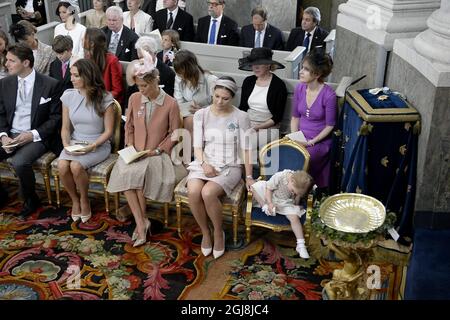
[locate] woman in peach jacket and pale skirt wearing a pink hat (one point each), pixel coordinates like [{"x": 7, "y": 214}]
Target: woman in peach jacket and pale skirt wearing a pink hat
[{"x": 152, "y": 116}]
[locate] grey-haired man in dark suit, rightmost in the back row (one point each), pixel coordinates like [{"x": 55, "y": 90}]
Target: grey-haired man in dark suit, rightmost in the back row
[{"x": 310, "y": 35}]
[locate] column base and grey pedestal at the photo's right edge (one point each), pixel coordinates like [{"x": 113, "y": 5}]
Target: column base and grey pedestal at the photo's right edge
[{"x": 420, "y": 67}]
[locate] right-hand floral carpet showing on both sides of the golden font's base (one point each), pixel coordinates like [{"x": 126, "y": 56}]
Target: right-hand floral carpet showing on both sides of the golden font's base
[{"x": 274, "y": 271}]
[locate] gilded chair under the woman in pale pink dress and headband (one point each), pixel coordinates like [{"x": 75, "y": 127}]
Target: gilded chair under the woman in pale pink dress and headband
[{"x": 231, "y": 204}]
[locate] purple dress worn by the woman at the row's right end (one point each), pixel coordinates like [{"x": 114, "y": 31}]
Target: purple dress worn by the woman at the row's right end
[{"x": 321, "y": 114}]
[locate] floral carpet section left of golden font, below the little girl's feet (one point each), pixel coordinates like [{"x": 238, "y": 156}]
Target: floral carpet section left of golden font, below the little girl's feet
[{"x": 275, "y": 272}]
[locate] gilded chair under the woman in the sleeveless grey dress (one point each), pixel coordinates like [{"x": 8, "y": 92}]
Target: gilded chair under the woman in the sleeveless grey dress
[{"x": 98, "y": 174}]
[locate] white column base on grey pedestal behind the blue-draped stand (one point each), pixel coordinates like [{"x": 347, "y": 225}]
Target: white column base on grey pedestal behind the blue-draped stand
[{"x": 366, "y": 30}]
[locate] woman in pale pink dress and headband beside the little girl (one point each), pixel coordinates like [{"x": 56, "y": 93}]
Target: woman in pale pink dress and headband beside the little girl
[{"x": 220, "y": 132}]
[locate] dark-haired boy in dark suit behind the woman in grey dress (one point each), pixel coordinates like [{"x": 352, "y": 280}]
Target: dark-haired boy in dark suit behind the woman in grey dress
[{"x": 60, "y": 67}]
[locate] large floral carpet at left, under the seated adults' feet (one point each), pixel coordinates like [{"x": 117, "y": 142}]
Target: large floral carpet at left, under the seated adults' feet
[{"x": 48, "y": 256}]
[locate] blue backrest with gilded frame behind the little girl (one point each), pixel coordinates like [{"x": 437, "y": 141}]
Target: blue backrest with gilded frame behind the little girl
[{"x": 280, "y": 155}]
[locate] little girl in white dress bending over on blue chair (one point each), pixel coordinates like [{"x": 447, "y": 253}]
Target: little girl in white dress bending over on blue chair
[{"x": 282, "y": 194}]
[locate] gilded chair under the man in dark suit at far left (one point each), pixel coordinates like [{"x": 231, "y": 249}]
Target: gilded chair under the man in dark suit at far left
[{"x": 41, "y": 165}]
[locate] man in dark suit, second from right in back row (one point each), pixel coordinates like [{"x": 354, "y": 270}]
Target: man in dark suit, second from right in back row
[{"x": 260, "y": 33}]
